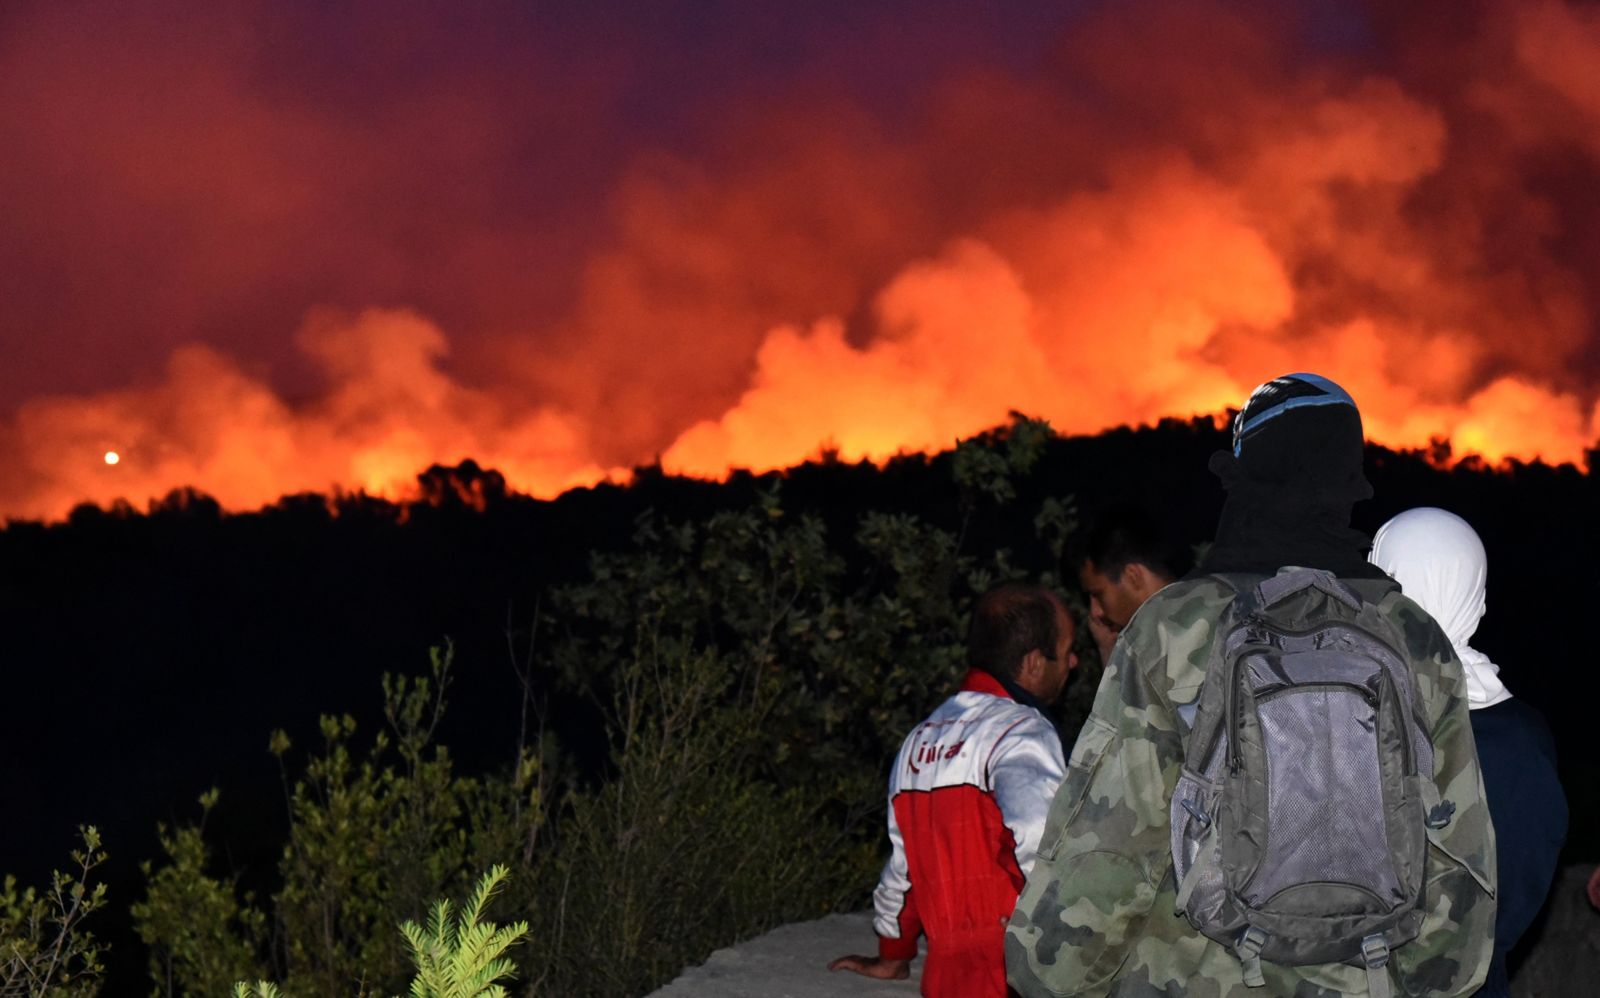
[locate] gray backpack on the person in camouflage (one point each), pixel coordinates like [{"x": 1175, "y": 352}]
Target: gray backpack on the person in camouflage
[{"x": 1298, "y": 821}]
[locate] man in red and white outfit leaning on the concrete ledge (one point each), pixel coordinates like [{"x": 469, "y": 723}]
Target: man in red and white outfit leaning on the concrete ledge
[{"x": 969, "y": 797}]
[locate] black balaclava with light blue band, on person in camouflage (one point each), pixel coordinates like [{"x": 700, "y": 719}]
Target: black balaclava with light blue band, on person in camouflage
[{"x": 1292, "y": 479}]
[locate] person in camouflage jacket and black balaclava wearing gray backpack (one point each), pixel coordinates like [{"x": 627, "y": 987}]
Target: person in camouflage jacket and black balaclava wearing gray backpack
[{"x": 1278, "y": 789}]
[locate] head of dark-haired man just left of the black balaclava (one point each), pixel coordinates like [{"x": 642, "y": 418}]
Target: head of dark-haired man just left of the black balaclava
[{"x": 1124, "y": 562}]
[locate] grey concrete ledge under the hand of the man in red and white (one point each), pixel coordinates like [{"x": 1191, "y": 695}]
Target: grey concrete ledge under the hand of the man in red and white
[{"x": 791, "y": 962}]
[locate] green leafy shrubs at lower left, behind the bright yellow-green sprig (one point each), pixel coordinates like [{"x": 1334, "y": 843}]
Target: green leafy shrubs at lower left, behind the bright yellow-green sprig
[{"x": 375, "y": 836}]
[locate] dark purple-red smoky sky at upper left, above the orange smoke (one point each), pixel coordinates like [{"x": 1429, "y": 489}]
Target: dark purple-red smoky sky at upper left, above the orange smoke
[{"x": 183, "y": 172}]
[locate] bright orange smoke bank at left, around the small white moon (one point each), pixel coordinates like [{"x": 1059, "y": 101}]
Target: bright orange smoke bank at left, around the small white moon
[{"x": 390, "y": 415}]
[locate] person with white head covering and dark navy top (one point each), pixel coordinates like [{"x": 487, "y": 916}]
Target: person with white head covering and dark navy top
[{"x": 1439, "y": 562}]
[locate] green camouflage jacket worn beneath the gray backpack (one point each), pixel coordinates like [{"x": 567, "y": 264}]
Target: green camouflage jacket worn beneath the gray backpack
[{"x": 1098, "y": 916}]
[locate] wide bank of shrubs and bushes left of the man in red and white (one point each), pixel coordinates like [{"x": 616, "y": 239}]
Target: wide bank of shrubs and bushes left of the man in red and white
[{"x": 748, "y": 673}]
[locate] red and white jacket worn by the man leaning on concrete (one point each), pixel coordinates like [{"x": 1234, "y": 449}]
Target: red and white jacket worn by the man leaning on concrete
[{"x": 969, "y": 797}]
